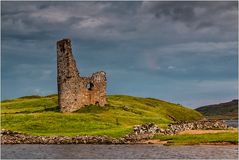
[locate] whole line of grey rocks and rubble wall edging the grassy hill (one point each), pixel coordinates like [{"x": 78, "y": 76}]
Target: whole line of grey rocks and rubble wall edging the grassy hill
[{"x": 139, "y": 134}]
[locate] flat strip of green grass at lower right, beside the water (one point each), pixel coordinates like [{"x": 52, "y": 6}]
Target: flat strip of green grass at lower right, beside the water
[{"x": 191, "y": 139}]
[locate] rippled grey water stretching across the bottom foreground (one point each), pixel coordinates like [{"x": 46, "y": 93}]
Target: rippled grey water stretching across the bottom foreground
[{"x": 35, "y": 151}]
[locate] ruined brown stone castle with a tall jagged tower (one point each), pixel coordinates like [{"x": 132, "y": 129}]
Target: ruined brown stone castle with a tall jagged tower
[{"x": 74, "y": 91}]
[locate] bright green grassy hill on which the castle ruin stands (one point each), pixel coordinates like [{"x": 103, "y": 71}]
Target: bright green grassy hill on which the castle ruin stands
[{"x": 40, "y": 116}]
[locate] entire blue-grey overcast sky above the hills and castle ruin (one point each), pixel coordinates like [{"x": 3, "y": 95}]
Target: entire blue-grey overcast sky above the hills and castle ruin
[{"x": 182, "y": 52}]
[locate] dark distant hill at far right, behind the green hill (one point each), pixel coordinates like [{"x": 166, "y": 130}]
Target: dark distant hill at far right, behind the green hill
[{"x": 228, "y": 110}]
